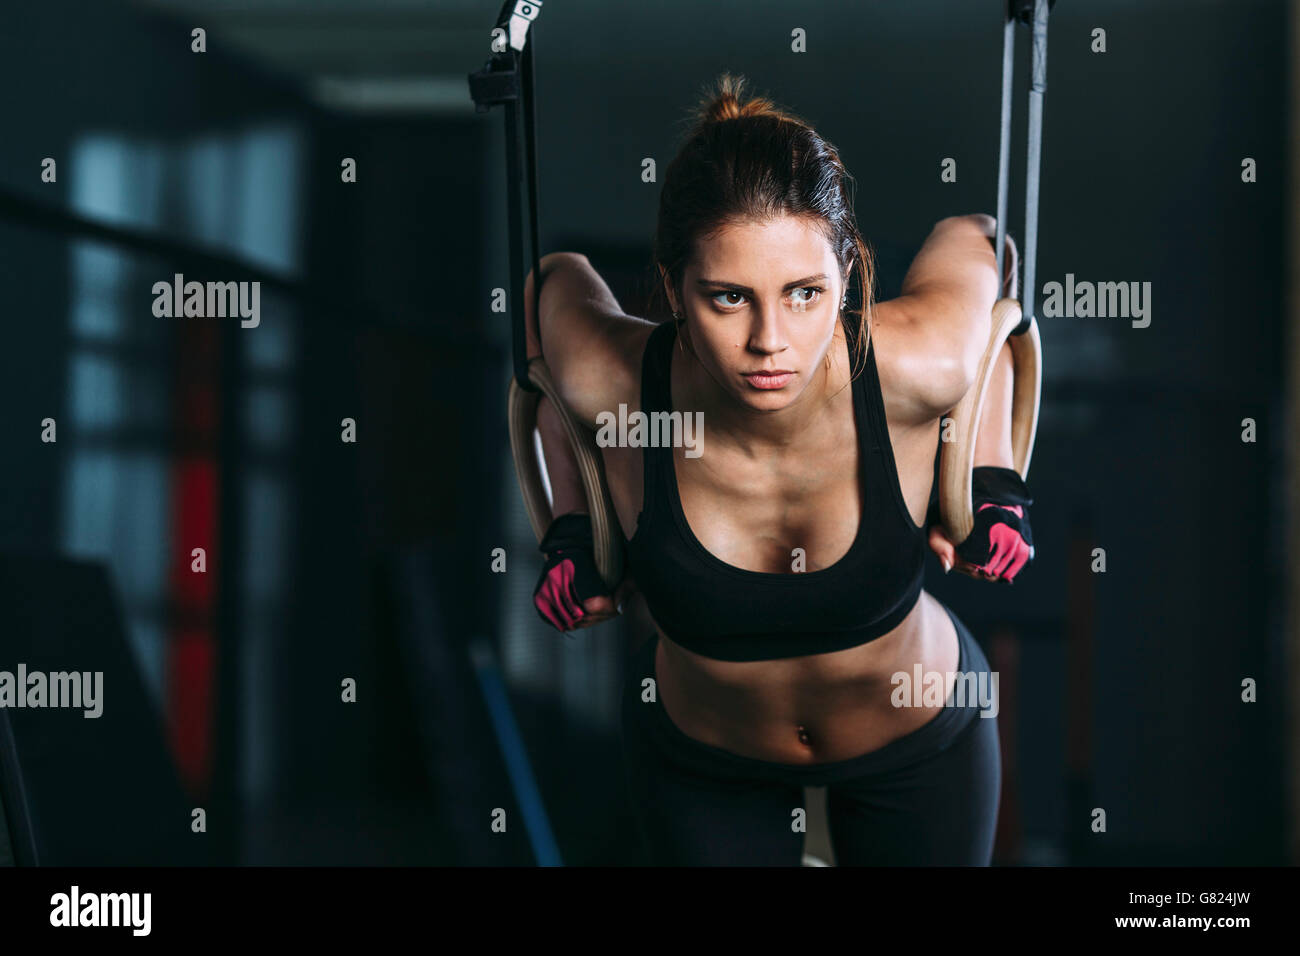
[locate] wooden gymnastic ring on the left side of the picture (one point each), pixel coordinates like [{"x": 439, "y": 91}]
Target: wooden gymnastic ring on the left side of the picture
[{"x": 522, "y": 416}]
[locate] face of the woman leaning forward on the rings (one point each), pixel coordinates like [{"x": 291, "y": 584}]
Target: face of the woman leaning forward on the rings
[{"x": 762, "y": 301}]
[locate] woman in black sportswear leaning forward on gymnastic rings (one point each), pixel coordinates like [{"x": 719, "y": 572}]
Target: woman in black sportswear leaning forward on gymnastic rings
[{"x": 781, "y": 560}]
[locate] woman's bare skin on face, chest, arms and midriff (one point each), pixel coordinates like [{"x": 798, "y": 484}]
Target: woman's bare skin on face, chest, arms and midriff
[{"x": 781, "y": 466}]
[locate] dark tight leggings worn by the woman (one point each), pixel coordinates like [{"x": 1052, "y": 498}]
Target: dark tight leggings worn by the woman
[{"x": 929, "y": 798}]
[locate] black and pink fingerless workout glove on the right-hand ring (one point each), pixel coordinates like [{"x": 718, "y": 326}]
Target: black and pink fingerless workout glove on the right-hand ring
[{"x": 1002, "y": 542}]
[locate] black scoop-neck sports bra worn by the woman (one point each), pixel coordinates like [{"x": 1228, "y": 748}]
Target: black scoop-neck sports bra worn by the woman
[{"x": 727, "y": 613}]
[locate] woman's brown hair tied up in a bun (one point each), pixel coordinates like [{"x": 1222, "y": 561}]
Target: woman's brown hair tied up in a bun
[{"x": 751, "y": 161}]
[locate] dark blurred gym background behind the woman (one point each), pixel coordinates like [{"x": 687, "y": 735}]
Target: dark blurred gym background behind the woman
[{"x": 371, "y": 561}]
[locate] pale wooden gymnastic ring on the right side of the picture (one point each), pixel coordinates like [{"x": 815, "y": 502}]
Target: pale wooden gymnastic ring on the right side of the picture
[{"x": 957, "y": 457}]
